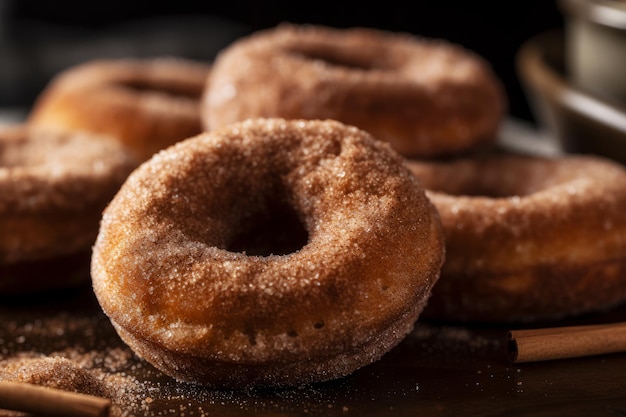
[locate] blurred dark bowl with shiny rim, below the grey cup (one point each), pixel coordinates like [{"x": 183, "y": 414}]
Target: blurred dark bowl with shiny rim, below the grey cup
[{"x": 582, "y": 121}]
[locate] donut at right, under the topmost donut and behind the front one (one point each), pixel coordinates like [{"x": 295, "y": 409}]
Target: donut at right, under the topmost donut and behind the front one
[{"x": 528, "y": 238}]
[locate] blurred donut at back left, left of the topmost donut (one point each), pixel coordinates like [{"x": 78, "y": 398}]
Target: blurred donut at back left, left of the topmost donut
[{"x": 146, "y": 103}]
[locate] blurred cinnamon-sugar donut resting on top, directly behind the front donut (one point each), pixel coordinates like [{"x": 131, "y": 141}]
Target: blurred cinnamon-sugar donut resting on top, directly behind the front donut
[{"x": 426, "y": 97}]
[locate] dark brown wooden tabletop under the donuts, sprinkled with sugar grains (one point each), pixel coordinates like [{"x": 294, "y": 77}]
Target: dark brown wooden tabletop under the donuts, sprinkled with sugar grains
[{"x": 441, "y": 369}]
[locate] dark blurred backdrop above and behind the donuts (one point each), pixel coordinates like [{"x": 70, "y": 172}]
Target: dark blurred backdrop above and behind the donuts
[{"x": 37, "y": 32}]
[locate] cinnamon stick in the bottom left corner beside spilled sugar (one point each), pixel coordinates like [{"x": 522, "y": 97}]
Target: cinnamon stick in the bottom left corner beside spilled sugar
[{"x": 50, "y": 401}]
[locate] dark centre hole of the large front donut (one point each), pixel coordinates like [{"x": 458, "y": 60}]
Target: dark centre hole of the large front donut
[{"x": 275, "y": 229}]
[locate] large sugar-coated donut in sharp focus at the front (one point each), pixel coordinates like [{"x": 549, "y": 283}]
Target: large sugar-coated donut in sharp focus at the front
[{"x": 270, "y": 252}]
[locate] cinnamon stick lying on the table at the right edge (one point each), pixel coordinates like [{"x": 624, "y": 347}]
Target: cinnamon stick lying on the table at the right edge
[{"x": 533, "y": 345}]
